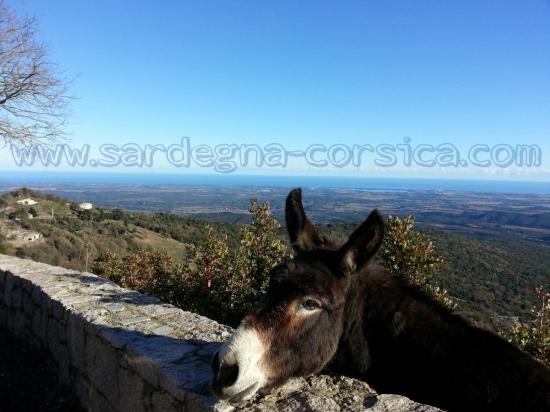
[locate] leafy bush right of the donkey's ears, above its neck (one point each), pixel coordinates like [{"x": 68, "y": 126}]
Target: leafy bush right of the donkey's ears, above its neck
[{"x": 410, "y": 253}]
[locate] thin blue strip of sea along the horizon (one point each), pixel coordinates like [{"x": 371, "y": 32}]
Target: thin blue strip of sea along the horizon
[{"x": 38, "y": 179}]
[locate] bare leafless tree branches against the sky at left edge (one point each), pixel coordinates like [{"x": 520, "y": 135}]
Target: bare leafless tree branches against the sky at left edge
[{"x": 33, "y": 98}]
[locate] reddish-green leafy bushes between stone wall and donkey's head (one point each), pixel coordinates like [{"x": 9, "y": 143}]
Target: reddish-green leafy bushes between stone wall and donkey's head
[{"x": 217, "y": 281}]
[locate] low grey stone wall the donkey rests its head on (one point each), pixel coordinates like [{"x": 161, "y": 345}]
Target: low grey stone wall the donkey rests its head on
[{"x": 123, "y": 351}]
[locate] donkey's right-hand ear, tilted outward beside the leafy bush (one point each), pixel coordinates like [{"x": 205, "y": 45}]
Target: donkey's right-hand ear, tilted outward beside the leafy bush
[{"x": 363, "y": 243}]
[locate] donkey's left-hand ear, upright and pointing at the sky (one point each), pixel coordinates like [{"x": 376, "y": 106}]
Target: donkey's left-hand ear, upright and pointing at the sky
[{"x": 302, "y": 233}]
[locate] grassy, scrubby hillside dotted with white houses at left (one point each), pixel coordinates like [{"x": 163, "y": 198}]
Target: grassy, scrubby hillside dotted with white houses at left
[{"x": 73, "y": 238}]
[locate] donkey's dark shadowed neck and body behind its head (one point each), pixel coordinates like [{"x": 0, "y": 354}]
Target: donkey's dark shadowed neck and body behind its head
[{"x": 400, "y": 341}]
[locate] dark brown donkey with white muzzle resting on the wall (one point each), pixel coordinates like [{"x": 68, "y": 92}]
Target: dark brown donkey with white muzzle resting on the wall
[{"x": 332, "y": 306}]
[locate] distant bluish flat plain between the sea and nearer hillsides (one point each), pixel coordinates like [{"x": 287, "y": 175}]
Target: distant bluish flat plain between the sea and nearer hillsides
[{"x": 480, "y": 214}]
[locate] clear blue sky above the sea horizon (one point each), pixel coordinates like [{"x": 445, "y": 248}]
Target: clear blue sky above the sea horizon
[{"x": 306, "y": 72}]
